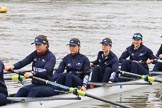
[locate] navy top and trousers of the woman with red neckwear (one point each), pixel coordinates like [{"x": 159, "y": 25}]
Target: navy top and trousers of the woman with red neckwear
[{"x": 42, "y": 65}]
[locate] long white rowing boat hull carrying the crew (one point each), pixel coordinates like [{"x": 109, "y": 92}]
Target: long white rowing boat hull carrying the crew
[{"x": 99, "y": 92}]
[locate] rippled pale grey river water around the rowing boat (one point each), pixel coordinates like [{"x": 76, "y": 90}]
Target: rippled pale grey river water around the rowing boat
[{"x": 89, "y": 20}]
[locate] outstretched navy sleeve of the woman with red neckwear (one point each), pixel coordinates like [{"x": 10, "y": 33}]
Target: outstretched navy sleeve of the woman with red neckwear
[{"x": 27, "y": 60}]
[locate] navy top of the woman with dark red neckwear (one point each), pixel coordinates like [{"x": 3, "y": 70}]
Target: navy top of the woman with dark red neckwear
[{"x": 41, "y": 65}]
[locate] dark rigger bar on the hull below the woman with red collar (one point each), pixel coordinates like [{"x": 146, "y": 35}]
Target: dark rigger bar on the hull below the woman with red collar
[{"x": 30, "y": 99}]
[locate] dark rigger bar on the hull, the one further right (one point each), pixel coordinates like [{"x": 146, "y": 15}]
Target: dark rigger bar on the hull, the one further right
[{"x": 118, "y": 84}]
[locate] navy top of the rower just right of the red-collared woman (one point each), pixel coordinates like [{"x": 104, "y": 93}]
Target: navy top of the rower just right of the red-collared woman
[{"x": 75, "y": 63}]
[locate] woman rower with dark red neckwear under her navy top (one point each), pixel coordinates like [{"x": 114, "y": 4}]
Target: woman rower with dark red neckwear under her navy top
[{"x": 43, "y": 62}]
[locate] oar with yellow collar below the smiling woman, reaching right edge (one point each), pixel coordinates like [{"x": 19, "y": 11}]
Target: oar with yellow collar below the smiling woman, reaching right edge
[{"x": 144, "y": 77}]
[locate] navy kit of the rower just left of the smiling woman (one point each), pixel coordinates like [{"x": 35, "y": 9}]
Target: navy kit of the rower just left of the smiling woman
[{"x": 105, "y": 68}]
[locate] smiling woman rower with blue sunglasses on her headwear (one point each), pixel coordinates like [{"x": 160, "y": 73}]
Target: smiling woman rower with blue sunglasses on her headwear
[{"x": 139, "y": 57}]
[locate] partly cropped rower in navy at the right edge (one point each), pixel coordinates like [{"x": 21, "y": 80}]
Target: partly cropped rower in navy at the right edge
[{"x": 158, "y": 65}]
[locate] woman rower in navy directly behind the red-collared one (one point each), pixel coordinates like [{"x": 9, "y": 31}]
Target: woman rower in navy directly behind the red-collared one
[{"x": 77, "y": 67}]
